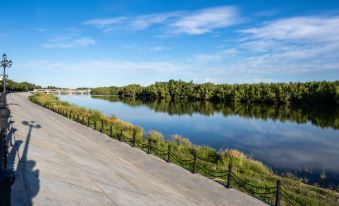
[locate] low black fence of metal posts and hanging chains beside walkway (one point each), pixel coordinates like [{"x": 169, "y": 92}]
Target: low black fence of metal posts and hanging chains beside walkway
[{"x": 274, "y": 195}]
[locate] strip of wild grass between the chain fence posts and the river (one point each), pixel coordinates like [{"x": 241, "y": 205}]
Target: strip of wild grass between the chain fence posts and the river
[{"x": 247, "y": 169}]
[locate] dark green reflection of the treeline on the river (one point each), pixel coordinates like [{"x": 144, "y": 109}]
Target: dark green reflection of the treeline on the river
[{"x": 321, "y": 116}]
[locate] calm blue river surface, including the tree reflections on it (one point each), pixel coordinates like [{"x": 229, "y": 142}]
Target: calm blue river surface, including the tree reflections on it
[{"x": 301, "y": 141}]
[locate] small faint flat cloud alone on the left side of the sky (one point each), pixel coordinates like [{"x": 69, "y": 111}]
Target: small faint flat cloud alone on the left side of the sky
[{"x": 69, "y": 42}]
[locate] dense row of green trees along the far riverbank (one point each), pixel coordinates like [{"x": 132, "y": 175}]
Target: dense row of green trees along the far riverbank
[{"x": 278, "y": 93}]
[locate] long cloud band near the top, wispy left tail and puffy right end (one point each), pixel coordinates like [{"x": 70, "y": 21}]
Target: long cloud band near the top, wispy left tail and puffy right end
[{"x": 193, "y": 22}]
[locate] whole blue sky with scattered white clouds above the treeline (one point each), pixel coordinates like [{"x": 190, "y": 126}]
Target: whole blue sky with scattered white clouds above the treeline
[{"x": 87, "y": 43}]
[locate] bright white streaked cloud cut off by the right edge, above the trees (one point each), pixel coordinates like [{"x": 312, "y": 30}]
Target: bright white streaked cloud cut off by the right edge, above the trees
[{"x": 309, "y": 28}]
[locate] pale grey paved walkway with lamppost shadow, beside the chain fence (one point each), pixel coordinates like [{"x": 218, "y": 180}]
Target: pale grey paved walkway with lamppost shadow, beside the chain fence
[{"x": 60, "y": 162}]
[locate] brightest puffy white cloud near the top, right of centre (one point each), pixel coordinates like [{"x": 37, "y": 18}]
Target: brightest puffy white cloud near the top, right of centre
[{"x": 206, "y": 20}]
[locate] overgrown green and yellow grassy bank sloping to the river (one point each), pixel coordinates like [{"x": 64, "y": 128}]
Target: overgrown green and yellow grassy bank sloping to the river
[{"x": 247, "y": 175}]
